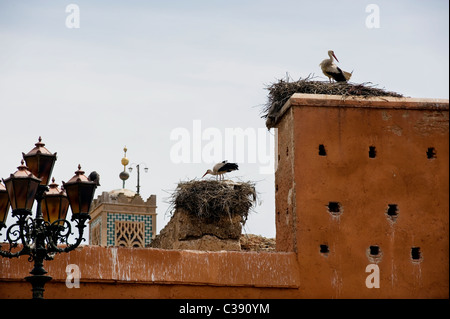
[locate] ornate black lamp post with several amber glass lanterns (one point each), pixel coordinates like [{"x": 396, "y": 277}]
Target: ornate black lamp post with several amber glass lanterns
[{"x": 40, "y": 236}]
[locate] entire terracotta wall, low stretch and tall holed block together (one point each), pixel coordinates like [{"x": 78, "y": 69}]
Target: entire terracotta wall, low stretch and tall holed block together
[{"x": 401, "y": 130}]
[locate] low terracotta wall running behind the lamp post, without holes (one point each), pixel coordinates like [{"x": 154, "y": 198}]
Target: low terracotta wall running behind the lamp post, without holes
[{"x": 119, "y": 272}]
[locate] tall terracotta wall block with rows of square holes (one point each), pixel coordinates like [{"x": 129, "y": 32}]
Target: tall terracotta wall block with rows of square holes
[{"x": 365, "y": 181}]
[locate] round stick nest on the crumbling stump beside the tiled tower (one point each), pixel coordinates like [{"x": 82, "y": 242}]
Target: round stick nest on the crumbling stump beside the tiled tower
[{"x": 211, "y": 200}]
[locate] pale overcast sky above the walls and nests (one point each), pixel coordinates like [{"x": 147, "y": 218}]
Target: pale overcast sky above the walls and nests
[{"x": 136, "y": 73}]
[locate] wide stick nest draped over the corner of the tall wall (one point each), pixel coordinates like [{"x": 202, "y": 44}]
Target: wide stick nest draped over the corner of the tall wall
[{"x": 281, "y": 91}]
